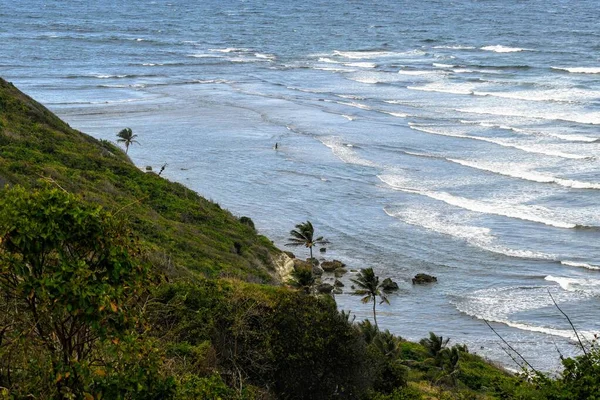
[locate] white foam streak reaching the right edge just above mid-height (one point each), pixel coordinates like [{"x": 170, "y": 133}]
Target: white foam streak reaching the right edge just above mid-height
[{"x": 517, "y": 171}]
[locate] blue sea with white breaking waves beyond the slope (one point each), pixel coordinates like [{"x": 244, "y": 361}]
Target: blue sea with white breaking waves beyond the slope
[{"x": 454, "y": 138}]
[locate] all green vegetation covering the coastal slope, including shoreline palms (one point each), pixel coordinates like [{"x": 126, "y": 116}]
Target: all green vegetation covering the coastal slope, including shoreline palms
[{"x": 118, "y": 284}]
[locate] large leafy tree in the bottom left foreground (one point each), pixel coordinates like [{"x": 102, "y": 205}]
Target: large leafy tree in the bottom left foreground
[{"x": 66, "y": 268}]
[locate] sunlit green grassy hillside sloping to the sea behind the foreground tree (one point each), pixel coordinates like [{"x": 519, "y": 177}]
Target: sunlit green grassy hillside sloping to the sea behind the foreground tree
[{"x": 178, "y": 227}]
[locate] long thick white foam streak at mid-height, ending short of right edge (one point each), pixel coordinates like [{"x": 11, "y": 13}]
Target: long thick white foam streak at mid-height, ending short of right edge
[{"x": 518, "y": 211}]
